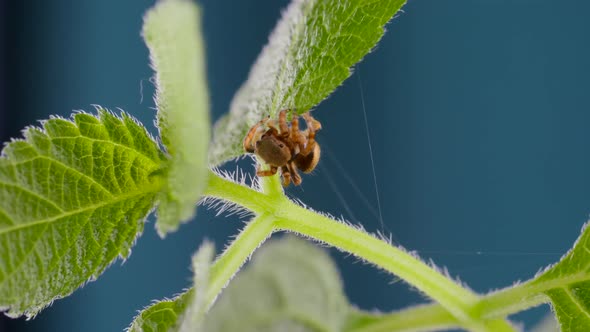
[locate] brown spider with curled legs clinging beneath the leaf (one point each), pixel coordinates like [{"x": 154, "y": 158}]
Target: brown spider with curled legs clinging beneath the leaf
[{"x": 287, "y": 147}]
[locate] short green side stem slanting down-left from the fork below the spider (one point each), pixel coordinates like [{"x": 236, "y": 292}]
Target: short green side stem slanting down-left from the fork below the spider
[{"x": 225, "y": 267}]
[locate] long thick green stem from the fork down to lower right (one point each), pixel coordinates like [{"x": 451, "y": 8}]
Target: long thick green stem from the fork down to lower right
[{"x": 456, "y": 299}]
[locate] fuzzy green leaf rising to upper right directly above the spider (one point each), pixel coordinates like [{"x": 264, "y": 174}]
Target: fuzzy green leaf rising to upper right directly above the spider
[{"x": 308, "y": 56}]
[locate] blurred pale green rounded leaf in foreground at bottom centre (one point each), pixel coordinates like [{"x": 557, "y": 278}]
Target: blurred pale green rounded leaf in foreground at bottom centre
[{"x": 290, "y": 285}]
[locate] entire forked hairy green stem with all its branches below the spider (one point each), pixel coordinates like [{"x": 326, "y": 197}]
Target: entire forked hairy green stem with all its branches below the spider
[{"x": 282, "y": 214}]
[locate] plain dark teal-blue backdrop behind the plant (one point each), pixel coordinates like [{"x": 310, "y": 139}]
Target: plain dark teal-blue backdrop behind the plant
[{"x": 478, "y": 116}]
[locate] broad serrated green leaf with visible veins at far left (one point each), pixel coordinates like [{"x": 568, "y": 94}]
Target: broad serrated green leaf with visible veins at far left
[{"x": 73, "y": 198}]
